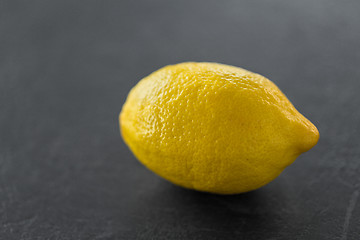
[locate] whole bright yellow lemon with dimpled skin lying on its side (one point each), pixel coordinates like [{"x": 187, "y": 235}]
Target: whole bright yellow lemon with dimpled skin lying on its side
[{"x": 213, "y": 127}]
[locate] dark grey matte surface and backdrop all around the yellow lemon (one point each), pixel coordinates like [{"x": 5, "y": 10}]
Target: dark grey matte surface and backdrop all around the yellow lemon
[{"x": 67, "y": 66}]
